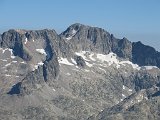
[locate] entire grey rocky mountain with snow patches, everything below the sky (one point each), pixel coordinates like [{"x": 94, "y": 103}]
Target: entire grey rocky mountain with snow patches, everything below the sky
[{"x": 84, "y": 73}]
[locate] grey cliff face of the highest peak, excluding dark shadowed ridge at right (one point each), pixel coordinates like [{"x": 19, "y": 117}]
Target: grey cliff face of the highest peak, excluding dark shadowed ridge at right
[{"x": 86, "y": 38}]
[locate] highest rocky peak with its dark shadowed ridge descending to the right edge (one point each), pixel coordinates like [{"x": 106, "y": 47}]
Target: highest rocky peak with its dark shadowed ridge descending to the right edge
[{"x": 86, "y": 38}]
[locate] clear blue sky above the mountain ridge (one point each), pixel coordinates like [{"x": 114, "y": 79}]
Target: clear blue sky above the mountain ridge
[{"x": 138, "y": 20}]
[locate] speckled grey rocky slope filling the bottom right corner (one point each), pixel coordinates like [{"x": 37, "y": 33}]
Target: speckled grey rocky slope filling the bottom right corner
[{"x": 138, "y": 111}]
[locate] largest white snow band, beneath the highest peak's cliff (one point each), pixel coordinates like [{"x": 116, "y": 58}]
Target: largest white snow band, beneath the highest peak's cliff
[{"x": 110, "y": 59}]
